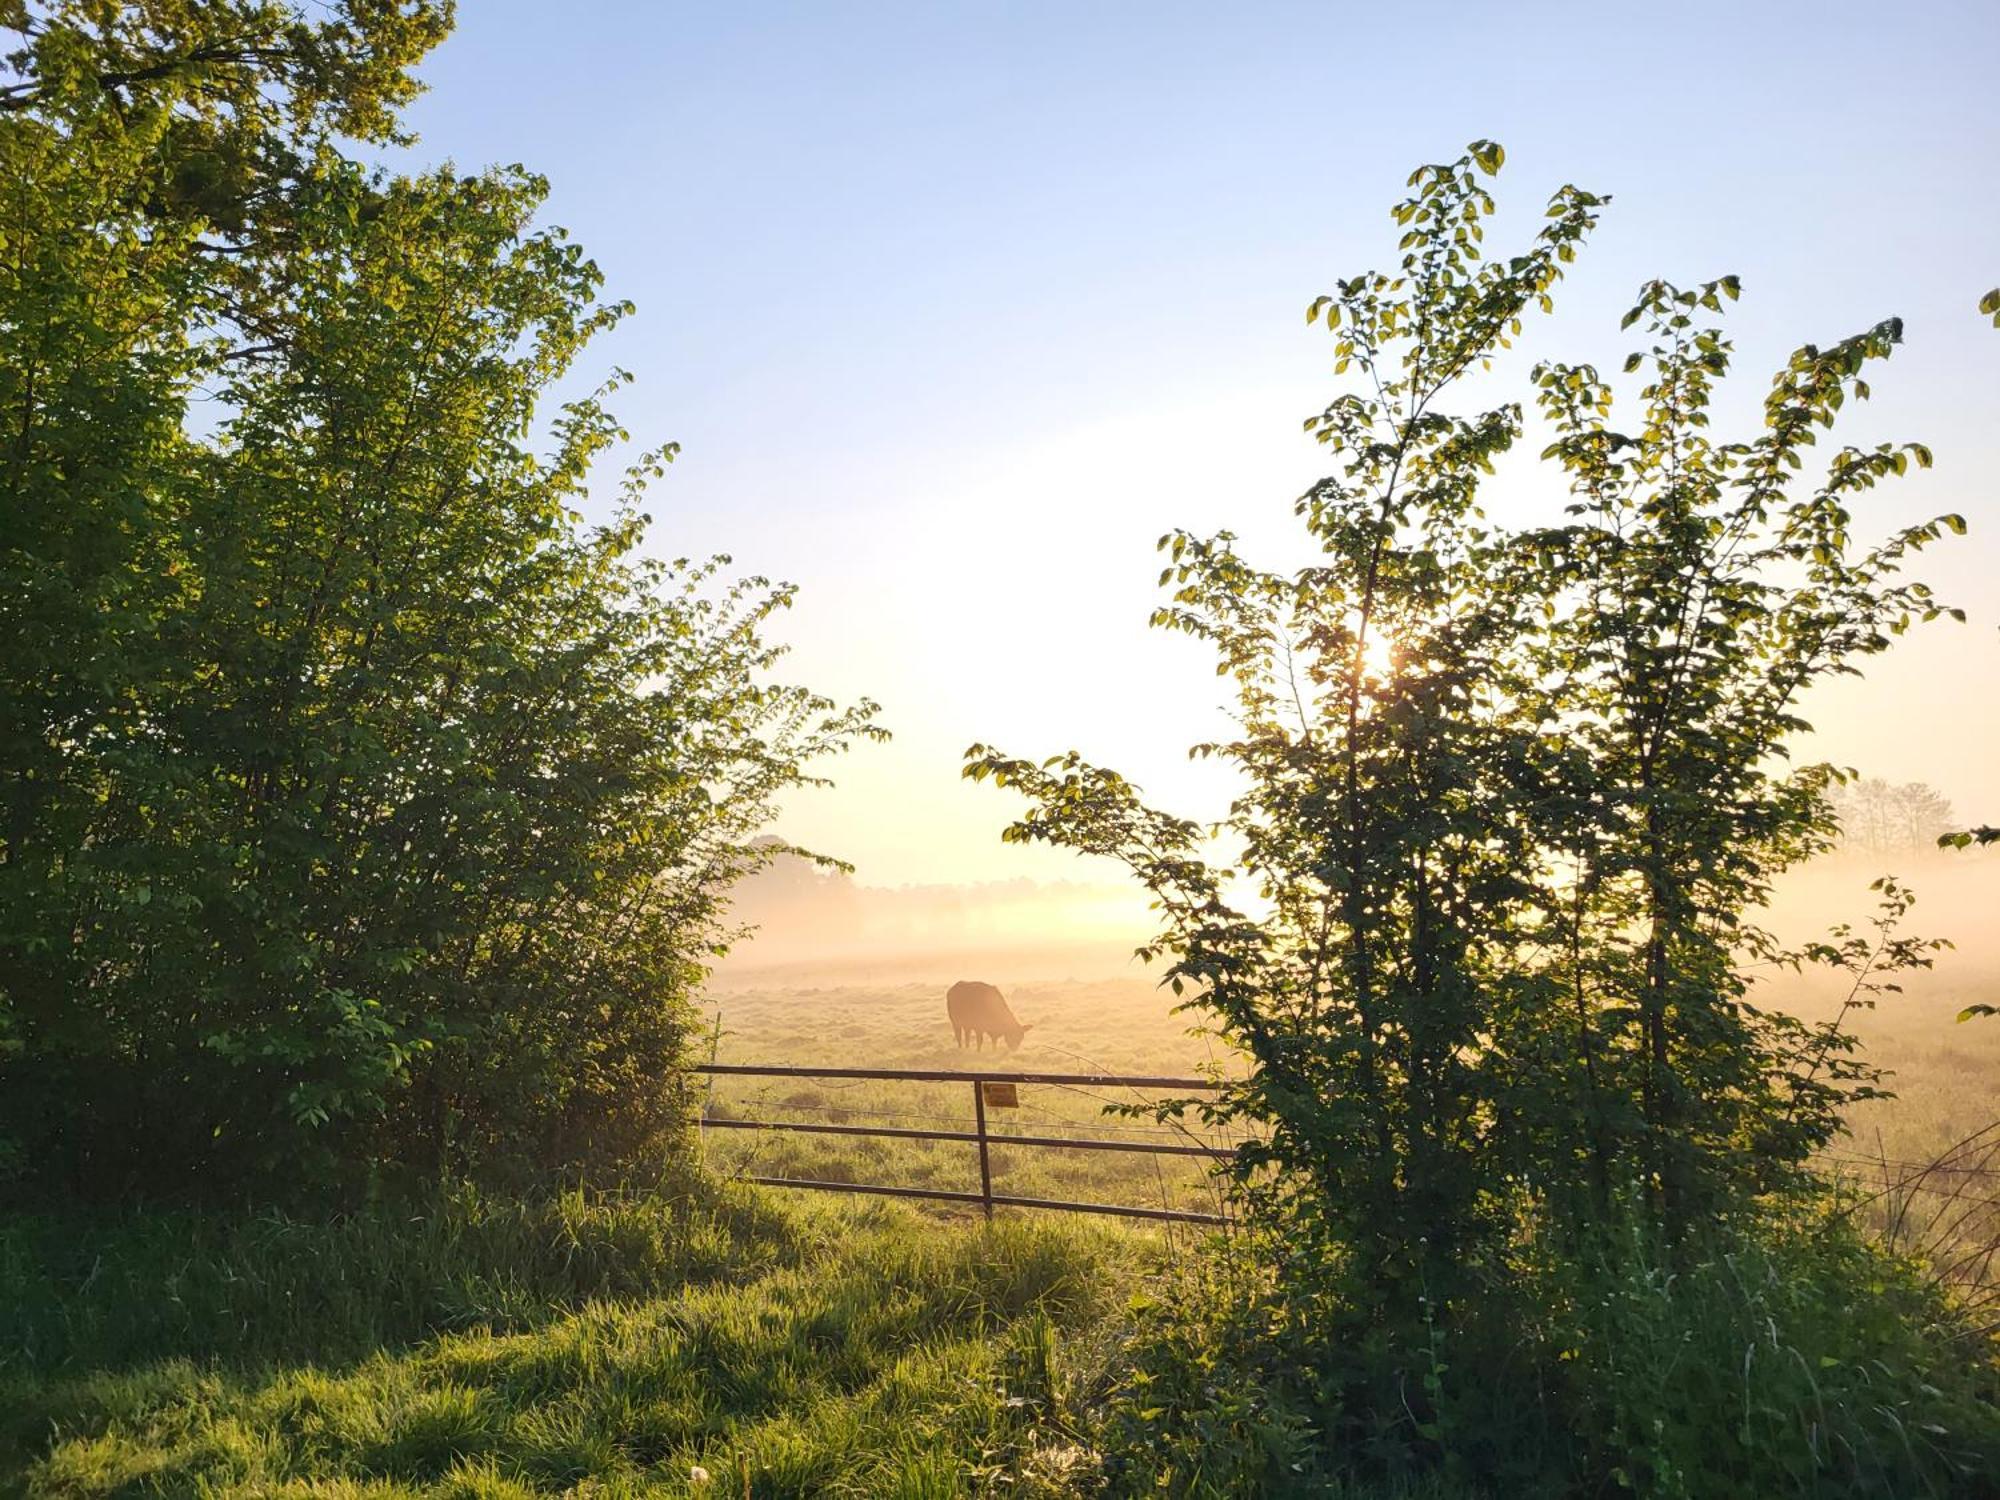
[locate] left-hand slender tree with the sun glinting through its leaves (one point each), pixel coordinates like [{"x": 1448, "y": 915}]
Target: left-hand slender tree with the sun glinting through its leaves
[{"x": 1389, "y": 811}]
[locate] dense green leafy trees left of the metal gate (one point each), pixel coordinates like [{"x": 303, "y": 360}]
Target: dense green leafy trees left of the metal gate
[{"x": 359, "y": 807}]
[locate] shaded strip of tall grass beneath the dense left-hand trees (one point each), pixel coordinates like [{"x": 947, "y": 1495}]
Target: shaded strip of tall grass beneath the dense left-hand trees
[{"x": 105, "y": 1291}]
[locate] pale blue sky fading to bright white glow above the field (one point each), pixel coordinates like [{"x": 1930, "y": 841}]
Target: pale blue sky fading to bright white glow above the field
[{"x": 957, "y": 307}]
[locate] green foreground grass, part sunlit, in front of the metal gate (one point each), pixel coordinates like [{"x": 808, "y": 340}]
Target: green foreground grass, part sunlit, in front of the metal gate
[{"x": 813, "y": 1351}]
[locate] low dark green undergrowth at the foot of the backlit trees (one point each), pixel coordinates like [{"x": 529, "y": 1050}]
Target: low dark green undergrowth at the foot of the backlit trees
[{"x": 1779, "y": 1357}]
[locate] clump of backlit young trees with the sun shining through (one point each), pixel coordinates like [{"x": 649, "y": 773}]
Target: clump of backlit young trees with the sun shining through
[{"x": 1503, "y": 877}]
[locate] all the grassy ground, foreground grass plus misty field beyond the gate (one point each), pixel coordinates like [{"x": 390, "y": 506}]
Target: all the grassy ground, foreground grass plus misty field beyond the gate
[{"x": 727, "y": 1341}]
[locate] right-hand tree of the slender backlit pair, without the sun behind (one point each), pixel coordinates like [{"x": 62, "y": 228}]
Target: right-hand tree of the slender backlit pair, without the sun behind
[{"x": 1705, "y": 597}]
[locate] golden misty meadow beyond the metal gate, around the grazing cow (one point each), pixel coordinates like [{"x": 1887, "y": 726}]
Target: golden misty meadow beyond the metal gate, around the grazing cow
[{"x": 1093, "y": 1009}]
